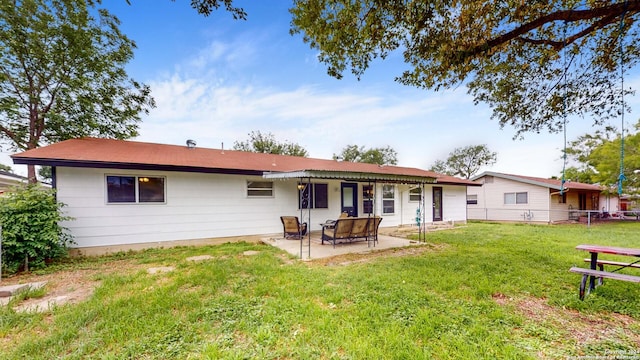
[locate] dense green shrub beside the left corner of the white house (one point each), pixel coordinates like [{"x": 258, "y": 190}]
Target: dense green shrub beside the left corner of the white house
[{"x": 31, "y": 231}]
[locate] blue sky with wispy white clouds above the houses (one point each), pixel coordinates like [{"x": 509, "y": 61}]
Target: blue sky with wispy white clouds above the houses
[{"x": 216, "y": 79}]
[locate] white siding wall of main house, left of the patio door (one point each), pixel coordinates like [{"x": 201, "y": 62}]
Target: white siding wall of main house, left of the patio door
[{"x": 197, "y": 206}]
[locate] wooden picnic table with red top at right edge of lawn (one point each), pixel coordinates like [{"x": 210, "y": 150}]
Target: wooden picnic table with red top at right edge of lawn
[{"x": 597, "y": 270}]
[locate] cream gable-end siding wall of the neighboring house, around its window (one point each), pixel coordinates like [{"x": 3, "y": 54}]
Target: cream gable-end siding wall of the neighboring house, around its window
[{"x": 491, "y": 204}]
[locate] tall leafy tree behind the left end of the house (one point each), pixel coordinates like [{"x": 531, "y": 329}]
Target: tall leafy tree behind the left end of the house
[{"x": 62, "y": 75}]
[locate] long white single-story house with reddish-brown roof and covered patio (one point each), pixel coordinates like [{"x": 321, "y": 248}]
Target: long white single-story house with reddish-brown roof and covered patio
[{"x": 127, "y": 194}]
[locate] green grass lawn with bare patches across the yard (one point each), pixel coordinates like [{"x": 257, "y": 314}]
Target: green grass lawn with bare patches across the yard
[{"x": 482, "y": 291}]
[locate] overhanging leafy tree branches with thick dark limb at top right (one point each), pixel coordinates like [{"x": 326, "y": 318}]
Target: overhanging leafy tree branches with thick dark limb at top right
[{"x": 530, "y": 61}]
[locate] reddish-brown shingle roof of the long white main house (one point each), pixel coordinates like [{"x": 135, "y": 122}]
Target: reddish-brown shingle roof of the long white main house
[{"x": 93, "y": 152}]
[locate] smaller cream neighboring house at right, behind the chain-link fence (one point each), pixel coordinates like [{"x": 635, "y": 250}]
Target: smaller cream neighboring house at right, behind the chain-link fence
[{"x": 524, "y": 198}]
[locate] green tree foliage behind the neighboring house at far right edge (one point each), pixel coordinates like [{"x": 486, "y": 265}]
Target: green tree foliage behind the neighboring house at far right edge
[{"x": 598, "y": 157}]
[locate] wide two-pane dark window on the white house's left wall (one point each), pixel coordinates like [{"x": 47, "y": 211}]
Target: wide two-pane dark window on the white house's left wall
[{"x": 135, "y": 189}]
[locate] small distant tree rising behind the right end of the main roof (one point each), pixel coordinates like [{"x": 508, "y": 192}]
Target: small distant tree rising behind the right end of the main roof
[{"x": 466, "y": 161}]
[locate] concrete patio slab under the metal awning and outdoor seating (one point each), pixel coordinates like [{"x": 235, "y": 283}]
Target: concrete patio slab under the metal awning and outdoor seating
[{"x": 318, "y": 250}]
